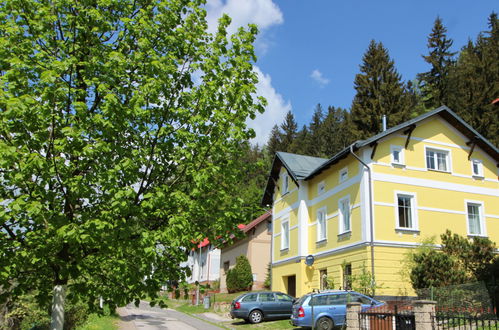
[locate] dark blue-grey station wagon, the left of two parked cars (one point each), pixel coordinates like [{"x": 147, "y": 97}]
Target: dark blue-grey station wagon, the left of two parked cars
[{"x": 254, "y": 307}]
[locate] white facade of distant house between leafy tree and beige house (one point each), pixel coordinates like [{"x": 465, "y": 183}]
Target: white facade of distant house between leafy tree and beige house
[{"x": 204, "y": 263}]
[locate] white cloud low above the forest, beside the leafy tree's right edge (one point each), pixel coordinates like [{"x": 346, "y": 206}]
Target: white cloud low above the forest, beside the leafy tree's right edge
[{"x": 275, "y": 110}]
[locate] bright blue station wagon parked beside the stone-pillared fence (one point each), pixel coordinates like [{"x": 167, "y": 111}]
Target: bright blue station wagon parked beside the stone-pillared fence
[{"x": 327, "y": 309}]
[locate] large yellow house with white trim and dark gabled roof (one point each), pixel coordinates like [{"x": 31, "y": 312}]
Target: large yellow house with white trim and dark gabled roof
[{"x": 364, "y": 208}]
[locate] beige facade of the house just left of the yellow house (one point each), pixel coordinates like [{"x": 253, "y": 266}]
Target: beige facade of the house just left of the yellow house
[{"x": 255, "y": 245}]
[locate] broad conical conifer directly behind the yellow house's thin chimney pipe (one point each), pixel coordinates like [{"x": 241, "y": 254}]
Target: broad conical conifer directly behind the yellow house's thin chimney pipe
[{"x": 380, "y": 91}]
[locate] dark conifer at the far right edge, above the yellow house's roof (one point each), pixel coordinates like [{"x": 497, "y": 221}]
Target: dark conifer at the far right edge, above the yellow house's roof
[{"x": 475, "y": 82}]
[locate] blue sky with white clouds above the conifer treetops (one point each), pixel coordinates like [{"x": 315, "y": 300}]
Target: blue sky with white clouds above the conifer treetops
[{"x": 309, "y": 51}]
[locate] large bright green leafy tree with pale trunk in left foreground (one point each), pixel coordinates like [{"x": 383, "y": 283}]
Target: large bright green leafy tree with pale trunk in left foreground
[{"x": 120, "y": 141}]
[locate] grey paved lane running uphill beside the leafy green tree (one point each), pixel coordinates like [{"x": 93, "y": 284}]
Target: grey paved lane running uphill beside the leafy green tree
[{"x": 145, "y": 317}]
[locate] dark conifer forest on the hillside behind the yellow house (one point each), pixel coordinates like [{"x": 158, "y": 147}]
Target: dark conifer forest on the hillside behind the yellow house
[{"x": 466, "y": 81}]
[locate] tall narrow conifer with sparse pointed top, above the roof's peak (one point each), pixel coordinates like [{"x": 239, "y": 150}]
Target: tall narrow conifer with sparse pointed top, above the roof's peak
[{"x": 434, "y": 83}]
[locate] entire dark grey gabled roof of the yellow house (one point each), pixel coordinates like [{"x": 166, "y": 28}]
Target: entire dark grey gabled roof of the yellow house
[{"x": 298, "y": 166}]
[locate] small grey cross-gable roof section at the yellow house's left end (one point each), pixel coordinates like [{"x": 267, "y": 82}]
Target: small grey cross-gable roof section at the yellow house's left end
[{"x": 298, "y": 167}]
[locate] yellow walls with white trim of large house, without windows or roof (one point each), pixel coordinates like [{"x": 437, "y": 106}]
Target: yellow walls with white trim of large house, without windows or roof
[{"x": 439, "y": 203}]
